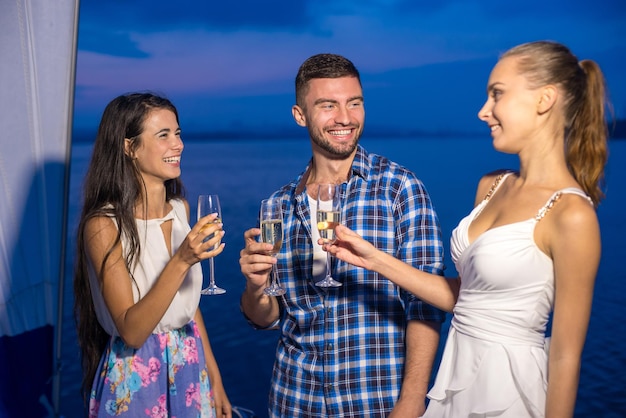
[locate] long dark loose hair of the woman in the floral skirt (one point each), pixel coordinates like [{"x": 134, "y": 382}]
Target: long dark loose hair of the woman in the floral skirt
[{"x": 112, "y": 187}]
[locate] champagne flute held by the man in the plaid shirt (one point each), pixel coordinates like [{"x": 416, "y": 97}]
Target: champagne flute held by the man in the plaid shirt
[{"x": 272, "y": 233}]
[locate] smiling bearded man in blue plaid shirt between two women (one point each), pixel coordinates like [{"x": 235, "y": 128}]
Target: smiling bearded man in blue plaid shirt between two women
[{"x": 366, "y": 348}]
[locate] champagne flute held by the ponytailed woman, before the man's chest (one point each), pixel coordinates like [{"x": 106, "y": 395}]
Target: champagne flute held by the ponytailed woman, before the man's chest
[{"x": 328, "y": 217}]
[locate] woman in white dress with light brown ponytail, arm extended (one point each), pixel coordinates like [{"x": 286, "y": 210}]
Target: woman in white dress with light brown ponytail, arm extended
[{"x": 529, "y": 249}]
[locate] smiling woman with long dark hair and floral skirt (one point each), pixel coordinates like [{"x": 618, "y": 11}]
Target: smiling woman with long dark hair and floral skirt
[{"x": 144, "y": 346}]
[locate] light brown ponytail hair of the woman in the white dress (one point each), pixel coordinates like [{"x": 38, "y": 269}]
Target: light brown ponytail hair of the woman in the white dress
[{"x": 582, "y": 82}]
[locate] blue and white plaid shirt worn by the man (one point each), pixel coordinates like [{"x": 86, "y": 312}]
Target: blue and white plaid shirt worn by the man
[{"x": 341, "y": 350}]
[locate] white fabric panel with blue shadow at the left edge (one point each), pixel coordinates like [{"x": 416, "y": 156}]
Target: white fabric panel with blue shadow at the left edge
[{"x": 37, "y": 50}]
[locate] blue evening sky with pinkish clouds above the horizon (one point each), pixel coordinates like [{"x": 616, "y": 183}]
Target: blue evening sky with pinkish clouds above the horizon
[{"x": 230, "y": 66}]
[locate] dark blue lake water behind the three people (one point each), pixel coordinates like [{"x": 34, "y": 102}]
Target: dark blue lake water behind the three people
[{"x": 243, "y": 172}]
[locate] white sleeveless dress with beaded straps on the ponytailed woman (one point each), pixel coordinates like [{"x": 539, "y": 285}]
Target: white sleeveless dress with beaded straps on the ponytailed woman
[{"x": 495, "y": 360}]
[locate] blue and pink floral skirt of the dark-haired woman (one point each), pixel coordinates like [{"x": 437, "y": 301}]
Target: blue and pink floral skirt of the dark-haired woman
[{"x": 166, "y": 377}]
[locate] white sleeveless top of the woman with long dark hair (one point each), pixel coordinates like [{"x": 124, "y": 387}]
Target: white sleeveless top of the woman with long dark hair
[{"x": 153, "y": 258}]
